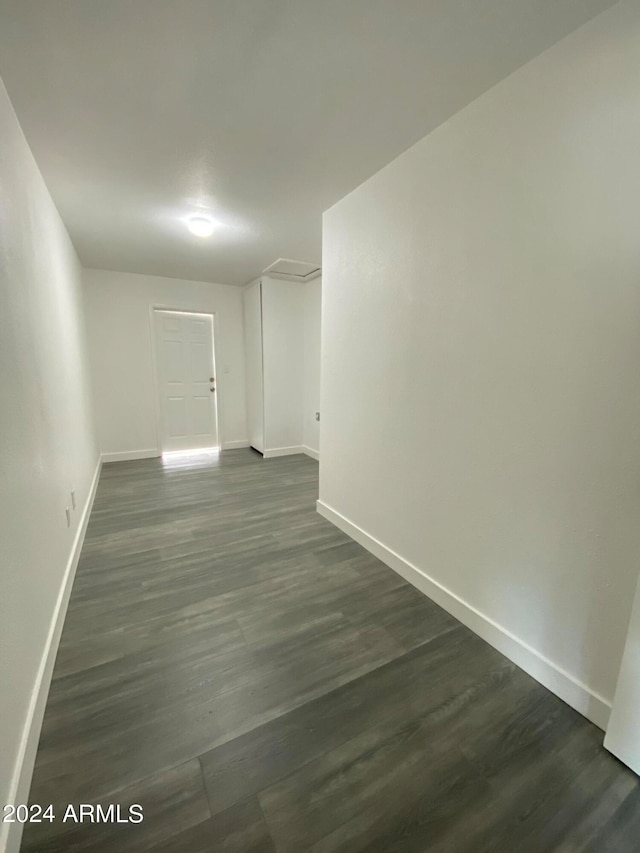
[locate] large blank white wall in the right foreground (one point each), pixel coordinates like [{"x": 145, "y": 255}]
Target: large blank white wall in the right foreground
[{"x": 481, "y": 348}]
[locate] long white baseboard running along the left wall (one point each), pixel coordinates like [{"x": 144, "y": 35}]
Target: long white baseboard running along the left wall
[{"x": 11, "y": 833}]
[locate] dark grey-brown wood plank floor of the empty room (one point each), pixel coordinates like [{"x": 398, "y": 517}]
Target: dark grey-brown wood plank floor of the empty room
[{"x": 259, "y": 682}]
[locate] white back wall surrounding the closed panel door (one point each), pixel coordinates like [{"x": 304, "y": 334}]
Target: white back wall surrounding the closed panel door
[{"x": 118, "y": 307}]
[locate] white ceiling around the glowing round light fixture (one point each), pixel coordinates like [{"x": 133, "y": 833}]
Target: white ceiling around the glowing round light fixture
[{"x": 262, "y": 112}]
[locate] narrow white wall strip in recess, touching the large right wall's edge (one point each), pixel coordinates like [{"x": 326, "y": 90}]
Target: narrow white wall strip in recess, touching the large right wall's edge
[{"x": 311, "y": 393}]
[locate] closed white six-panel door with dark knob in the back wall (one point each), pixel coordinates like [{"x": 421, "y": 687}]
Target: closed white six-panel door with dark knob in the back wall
[{"x": 186, "y": 380}]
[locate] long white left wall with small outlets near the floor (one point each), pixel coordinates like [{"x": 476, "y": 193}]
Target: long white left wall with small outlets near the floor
[{"x": 47, "y": 445}]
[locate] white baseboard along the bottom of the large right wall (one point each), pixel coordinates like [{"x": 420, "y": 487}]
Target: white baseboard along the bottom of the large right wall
[{"x": 572, "y": 691}]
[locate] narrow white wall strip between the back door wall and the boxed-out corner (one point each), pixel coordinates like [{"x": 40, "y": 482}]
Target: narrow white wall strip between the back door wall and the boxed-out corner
[{"x": 253, "y": 364}]
